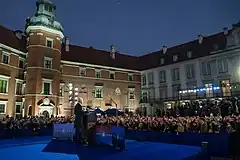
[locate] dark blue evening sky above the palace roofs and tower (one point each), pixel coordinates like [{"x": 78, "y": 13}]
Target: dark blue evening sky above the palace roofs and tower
[{"x": 134, "y": 26}]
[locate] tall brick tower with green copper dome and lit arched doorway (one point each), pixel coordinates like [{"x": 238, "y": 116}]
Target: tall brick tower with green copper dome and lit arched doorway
[{"x": 45, "y": 36}]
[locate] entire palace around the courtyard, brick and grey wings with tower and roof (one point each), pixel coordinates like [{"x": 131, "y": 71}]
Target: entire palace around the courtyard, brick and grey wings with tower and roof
[{"x": 42, "y": 73}]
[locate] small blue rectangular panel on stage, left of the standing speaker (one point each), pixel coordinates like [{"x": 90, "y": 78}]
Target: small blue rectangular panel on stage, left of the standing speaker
[{"x": 65, "y": 131}]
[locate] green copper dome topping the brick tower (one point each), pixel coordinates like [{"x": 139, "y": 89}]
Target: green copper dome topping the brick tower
[{"x": 44, "y": 16}]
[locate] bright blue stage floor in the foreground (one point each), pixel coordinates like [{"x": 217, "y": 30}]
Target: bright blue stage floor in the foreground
[{"x": 44, "y": 148}]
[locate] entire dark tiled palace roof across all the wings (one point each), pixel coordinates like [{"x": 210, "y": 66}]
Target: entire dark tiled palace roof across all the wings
[{"x": 148, "y": 61}]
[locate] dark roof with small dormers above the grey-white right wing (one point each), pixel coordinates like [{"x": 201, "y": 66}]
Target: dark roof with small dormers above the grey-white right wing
[{"x": 209, "y": 44}]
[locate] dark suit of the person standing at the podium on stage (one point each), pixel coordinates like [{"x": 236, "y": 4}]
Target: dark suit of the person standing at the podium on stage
[{"x": 79, "y": 125}]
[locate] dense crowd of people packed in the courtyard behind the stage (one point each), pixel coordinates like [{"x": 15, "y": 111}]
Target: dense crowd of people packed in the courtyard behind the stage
[{"x": 211, "y": 117}]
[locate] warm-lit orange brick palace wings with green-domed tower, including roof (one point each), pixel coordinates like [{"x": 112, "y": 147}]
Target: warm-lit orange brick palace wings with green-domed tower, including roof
[{"x": 42, "y": 73}]
